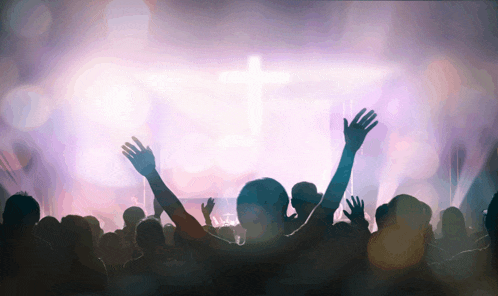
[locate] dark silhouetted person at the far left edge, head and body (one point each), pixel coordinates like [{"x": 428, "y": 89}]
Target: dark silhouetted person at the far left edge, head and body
[{"x": 27, "y": 263}]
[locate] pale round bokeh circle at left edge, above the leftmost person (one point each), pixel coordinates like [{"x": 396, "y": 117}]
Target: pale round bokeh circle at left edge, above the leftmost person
[{"x": 26, "y": 107}]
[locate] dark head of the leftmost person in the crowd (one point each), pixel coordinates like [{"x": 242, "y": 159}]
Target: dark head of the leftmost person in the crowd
[{"x": 21, "y": 212}]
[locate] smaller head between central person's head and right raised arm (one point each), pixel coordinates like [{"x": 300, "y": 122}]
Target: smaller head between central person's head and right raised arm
[{"x": 305, "y": 198}]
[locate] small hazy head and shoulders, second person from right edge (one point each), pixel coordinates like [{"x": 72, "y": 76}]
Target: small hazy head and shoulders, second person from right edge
[{"x": 454, "y": 234}]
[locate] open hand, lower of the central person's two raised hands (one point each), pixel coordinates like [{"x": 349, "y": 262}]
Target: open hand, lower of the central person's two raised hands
[{"x": 143, "y": 160}]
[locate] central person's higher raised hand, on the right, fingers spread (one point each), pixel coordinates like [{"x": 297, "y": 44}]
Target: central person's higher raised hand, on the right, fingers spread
[{"x": 356, "y": 132}]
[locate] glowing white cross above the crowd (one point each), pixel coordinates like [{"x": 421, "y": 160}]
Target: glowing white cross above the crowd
[{"x": 255, "y": 78}]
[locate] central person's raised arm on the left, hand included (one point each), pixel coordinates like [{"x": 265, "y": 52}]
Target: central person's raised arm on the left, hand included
[{"x": 144, "y": 162}]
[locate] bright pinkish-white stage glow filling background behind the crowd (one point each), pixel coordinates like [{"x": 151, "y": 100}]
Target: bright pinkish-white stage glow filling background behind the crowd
[{"x": 247, "y": 90}]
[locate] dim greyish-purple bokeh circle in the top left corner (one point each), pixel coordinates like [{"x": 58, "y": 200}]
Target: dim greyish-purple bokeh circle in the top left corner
[{"x": 28, "y": 18}]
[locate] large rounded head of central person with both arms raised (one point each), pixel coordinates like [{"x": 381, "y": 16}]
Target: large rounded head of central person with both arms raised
[{"x": 261, "y": 209}]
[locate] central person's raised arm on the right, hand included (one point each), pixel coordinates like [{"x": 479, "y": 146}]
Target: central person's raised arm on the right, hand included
[{"x": 354, "y": 134}]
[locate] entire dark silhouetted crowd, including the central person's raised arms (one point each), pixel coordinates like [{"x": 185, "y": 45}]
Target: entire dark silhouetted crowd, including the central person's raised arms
[{"x": 269, "y": 253}]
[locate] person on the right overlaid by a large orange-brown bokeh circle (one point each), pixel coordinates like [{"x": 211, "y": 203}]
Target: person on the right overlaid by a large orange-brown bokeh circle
[{"x": 398, "y": 253}]
